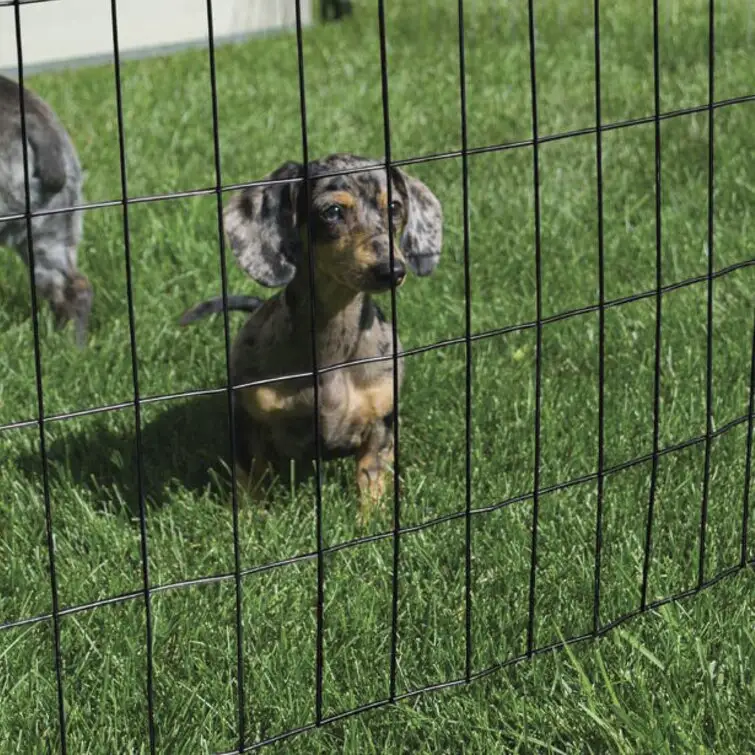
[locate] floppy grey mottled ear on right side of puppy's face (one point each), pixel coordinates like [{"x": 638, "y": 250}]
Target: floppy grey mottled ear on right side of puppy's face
[{"x": 422, "y": 238}]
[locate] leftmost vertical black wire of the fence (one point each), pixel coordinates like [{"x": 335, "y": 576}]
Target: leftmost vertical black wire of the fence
[{"x": 57, "y": 655}]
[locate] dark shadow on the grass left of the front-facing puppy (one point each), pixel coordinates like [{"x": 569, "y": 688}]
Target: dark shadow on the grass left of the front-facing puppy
[{"x": 184, "y": 446}]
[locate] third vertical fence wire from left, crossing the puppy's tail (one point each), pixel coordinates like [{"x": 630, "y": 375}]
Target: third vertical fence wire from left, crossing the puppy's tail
[{"x": 229, "y": 379}]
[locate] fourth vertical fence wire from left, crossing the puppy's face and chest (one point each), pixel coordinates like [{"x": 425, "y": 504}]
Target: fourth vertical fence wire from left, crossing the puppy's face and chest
[{"x": 319, "y": 618}]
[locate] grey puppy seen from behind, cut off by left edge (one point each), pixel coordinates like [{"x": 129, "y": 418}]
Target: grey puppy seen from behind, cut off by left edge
[{"x": 55, "y": 181}]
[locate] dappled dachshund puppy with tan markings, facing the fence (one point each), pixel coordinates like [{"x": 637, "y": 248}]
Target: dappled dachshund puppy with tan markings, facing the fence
[{"x": 348, "y": 215}]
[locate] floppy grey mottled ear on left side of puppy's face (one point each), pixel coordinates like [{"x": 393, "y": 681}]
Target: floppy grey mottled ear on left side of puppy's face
[{"x": 261, "y": 223}]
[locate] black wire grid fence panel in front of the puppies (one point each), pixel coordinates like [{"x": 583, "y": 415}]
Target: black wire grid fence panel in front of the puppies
[{"x": 394, "y": 535}]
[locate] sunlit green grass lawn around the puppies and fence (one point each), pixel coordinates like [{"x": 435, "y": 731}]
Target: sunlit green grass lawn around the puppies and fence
[{"x": 678, "y": 679}]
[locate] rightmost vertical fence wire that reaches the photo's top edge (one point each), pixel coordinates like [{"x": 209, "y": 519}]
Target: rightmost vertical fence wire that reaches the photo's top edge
[{"x": 709, "y": 333}]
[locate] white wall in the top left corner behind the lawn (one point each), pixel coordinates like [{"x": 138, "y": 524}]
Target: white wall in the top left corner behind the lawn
[{"x": 64, "y": 31}]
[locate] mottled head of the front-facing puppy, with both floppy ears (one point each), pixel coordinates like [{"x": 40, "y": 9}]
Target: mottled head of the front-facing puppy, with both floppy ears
[{"x": 350, "y": 221}]
